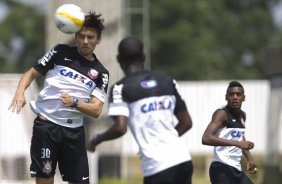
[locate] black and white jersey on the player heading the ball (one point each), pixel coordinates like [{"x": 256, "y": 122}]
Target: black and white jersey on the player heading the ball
[{"x": 68, "y": 72}]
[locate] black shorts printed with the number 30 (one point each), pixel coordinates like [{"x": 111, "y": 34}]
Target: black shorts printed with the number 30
[{"x": 52, "y": 144}]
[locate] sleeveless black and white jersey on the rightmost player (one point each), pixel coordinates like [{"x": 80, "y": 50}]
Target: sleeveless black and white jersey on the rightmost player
[{"x": 235, "y": 130}]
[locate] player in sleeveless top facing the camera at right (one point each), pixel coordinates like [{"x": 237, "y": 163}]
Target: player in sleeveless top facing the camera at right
[{"x": 226, "y": 133}]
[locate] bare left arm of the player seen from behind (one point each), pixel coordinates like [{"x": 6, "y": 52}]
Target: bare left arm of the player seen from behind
[{"x": 118, "y": 129}]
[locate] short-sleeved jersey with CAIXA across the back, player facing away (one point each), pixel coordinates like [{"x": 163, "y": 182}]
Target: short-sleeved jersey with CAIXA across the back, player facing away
[{"x": 150, "y": 101}]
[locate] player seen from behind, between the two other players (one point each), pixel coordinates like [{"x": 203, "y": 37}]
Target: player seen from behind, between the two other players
[{"x": 157, "y": 116}]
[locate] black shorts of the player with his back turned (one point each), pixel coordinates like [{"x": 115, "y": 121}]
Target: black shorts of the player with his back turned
[{"x": 179, "y": 174}]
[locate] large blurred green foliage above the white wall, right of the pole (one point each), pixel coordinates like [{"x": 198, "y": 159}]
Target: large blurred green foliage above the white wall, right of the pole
[{"x": 204, "y": 40}]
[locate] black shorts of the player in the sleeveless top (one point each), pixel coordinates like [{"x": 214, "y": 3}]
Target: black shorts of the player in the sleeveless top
[{"x": 224, "y": 174}]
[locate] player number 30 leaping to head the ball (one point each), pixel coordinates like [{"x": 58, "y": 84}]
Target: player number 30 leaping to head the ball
[{"x": 75, "y": 83}]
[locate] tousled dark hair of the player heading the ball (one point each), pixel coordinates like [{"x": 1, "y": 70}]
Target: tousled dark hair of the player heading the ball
[{"x": 93, "y": 20}]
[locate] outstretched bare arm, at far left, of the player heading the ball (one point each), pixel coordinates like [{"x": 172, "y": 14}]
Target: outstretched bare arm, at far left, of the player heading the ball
[{"x": 19, "y": 100}]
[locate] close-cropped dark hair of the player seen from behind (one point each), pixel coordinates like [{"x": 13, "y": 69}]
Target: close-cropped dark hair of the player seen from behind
[{"x": 130, "y": 49}]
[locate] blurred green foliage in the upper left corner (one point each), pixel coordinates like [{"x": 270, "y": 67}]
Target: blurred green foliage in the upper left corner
[{"x": 21, "y": 37}]
